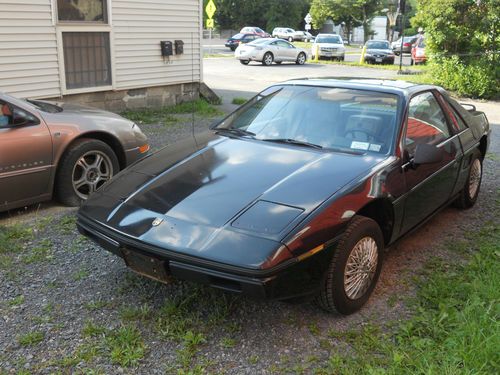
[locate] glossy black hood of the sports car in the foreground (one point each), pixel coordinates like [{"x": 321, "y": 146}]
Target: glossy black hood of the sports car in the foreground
[{"x": 232, "y": 200}]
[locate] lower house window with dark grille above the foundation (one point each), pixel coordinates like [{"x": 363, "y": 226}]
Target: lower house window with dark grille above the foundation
[{"x": 87, "y": 60}]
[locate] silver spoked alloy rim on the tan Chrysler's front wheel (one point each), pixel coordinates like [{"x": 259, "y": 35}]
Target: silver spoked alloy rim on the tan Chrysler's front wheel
[{"x": 90, "y": 172}]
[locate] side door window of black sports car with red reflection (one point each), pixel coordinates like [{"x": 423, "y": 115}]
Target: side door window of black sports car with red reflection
[{"x": 426, "y": 122}]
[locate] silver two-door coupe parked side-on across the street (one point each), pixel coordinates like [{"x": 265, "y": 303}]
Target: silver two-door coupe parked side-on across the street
[{"x": 269, "y": 50}]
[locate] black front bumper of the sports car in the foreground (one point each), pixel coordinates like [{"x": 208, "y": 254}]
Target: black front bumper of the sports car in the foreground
[{"x": 289, "y": 279}]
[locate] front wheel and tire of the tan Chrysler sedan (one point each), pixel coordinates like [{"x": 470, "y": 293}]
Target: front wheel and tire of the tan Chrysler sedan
[{"x": 84, "y": 168}]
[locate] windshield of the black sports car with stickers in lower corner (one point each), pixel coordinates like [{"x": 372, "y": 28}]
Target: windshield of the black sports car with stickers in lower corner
[{"x": 338, "y": 119}]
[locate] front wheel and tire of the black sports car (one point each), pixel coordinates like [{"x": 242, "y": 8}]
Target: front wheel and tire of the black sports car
[{"x": 354, "y": 268}]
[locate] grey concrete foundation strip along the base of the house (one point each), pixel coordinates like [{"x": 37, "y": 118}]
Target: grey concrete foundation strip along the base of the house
[{"x": 147, "y": 97}]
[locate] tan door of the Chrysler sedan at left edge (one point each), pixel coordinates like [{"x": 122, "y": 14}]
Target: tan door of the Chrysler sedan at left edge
[{"x": 25, "y": 156}]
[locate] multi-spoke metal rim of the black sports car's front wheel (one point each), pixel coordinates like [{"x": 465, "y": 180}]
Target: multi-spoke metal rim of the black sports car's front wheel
[{"x": 360, "y": 268}]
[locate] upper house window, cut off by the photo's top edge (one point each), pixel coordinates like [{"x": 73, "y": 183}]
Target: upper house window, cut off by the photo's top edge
[{"x": 82, "y": 11}]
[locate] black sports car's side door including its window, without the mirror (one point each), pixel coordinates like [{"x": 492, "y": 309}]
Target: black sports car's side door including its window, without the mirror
[{"x": 429, "y": 186}]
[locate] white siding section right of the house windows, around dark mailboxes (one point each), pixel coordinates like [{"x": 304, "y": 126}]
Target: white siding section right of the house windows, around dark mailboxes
[{"x": 138, "y": 28}]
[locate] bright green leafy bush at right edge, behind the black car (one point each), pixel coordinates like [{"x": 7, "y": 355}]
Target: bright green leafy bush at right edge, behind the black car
[{"x": 478, "y": 78}]
